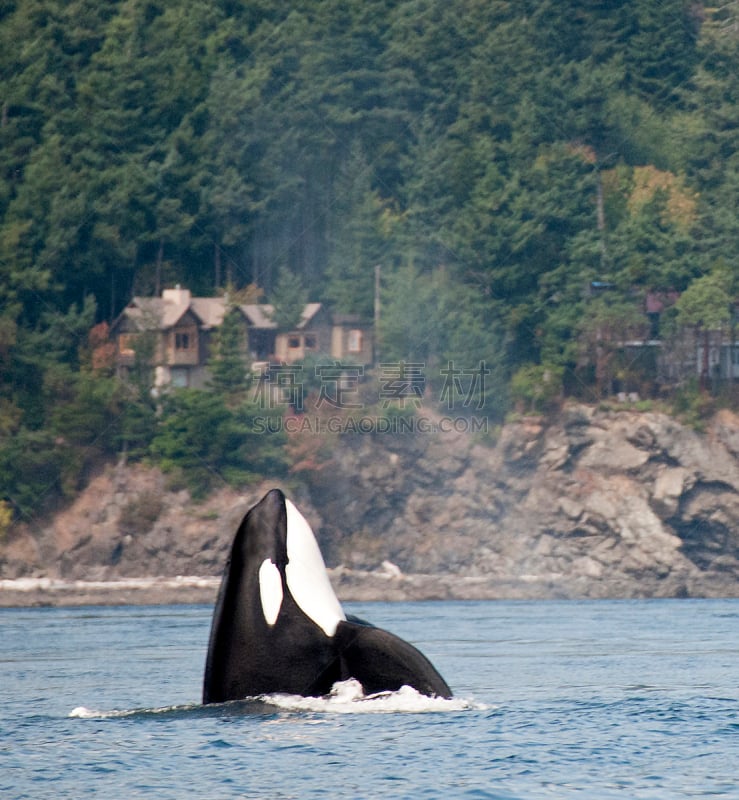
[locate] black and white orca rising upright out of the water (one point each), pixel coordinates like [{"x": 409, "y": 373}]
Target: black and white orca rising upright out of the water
[{"x": 278, "y": 627}]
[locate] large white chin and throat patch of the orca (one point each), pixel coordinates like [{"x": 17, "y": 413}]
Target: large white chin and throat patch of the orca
[{"x": 306, "y": 574}]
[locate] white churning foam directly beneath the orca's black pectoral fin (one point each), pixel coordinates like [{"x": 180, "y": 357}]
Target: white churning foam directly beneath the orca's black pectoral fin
[{"x": 347, "y": 698}]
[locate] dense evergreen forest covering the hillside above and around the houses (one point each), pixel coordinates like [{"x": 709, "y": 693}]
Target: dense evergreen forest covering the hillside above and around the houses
[{"x": 496, "y": 159}]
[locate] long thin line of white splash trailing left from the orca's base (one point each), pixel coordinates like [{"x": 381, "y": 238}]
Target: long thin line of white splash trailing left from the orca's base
[{"x": 346, "y": 697}]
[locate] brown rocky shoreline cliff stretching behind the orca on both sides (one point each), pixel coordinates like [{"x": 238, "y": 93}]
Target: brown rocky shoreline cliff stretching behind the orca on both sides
[{"x": 594, "y": 503}]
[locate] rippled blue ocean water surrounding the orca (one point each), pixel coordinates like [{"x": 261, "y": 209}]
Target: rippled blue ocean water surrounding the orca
[{"x": 597, "y": 700}]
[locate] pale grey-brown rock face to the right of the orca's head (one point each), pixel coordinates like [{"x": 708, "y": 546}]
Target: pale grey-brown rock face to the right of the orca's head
[{"x": 595, "y": 504}]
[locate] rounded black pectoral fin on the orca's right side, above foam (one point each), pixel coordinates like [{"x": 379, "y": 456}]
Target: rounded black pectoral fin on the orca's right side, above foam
[{"x": 381, "y": 661}]
